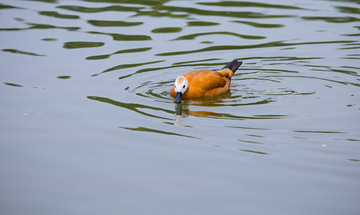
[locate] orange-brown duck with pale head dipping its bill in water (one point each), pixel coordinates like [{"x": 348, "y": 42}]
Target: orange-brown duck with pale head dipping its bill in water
[{"x": 204, "y": 83}]
